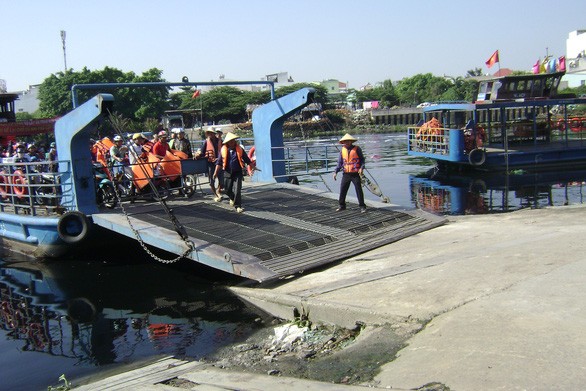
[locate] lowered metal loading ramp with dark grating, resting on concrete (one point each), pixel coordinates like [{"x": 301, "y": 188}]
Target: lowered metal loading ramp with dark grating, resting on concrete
[{"x": 284, "y": 230}]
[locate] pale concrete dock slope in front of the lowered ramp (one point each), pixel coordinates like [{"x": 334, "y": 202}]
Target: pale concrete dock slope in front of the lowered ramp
[{"x": 486, "y": 302}]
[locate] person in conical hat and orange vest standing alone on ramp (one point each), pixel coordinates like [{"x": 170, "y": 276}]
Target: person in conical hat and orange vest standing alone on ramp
[{"x": 351, "y": 163}]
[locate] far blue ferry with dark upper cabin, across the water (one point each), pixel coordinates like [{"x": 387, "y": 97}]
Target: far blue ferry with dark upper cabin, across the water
[{"x": 515, "y": 122}]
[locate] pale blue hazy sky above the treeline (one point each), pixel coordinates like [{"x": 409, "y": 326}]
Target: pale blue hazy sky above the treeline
[{"x": 360, "y": 41}]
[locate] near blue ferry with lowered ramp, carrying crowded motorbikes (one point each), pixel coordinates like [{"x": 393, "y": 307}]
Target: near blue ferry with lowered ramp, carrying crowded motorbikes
[{"x": 286, "y": 228}]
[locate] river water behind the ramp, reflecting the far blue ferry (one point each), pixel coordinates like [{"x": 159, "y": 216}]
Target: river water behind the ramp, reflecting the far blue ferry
[{"x": 413, "y": 182}]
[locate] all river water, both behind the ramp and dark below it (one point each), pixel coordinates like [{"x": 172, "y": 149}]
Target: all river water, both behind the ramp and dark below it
[{"x": 99, "y": 311}]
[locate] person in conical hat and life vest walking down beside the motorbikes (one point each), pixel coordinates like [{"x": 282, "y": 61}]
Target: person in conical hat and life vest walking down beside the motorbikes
[{"x": 233, "y": 159}]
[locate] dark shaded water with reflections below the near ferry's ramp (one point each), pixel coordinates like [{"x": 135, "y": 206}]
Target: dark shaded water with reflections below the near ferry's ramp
[{"x": 94, "y": 314}]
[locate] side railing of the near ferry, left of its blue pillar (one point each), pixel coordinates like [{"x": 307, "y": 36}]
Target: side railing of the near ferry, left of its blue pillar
[{"x": 31, "y": 188}]
